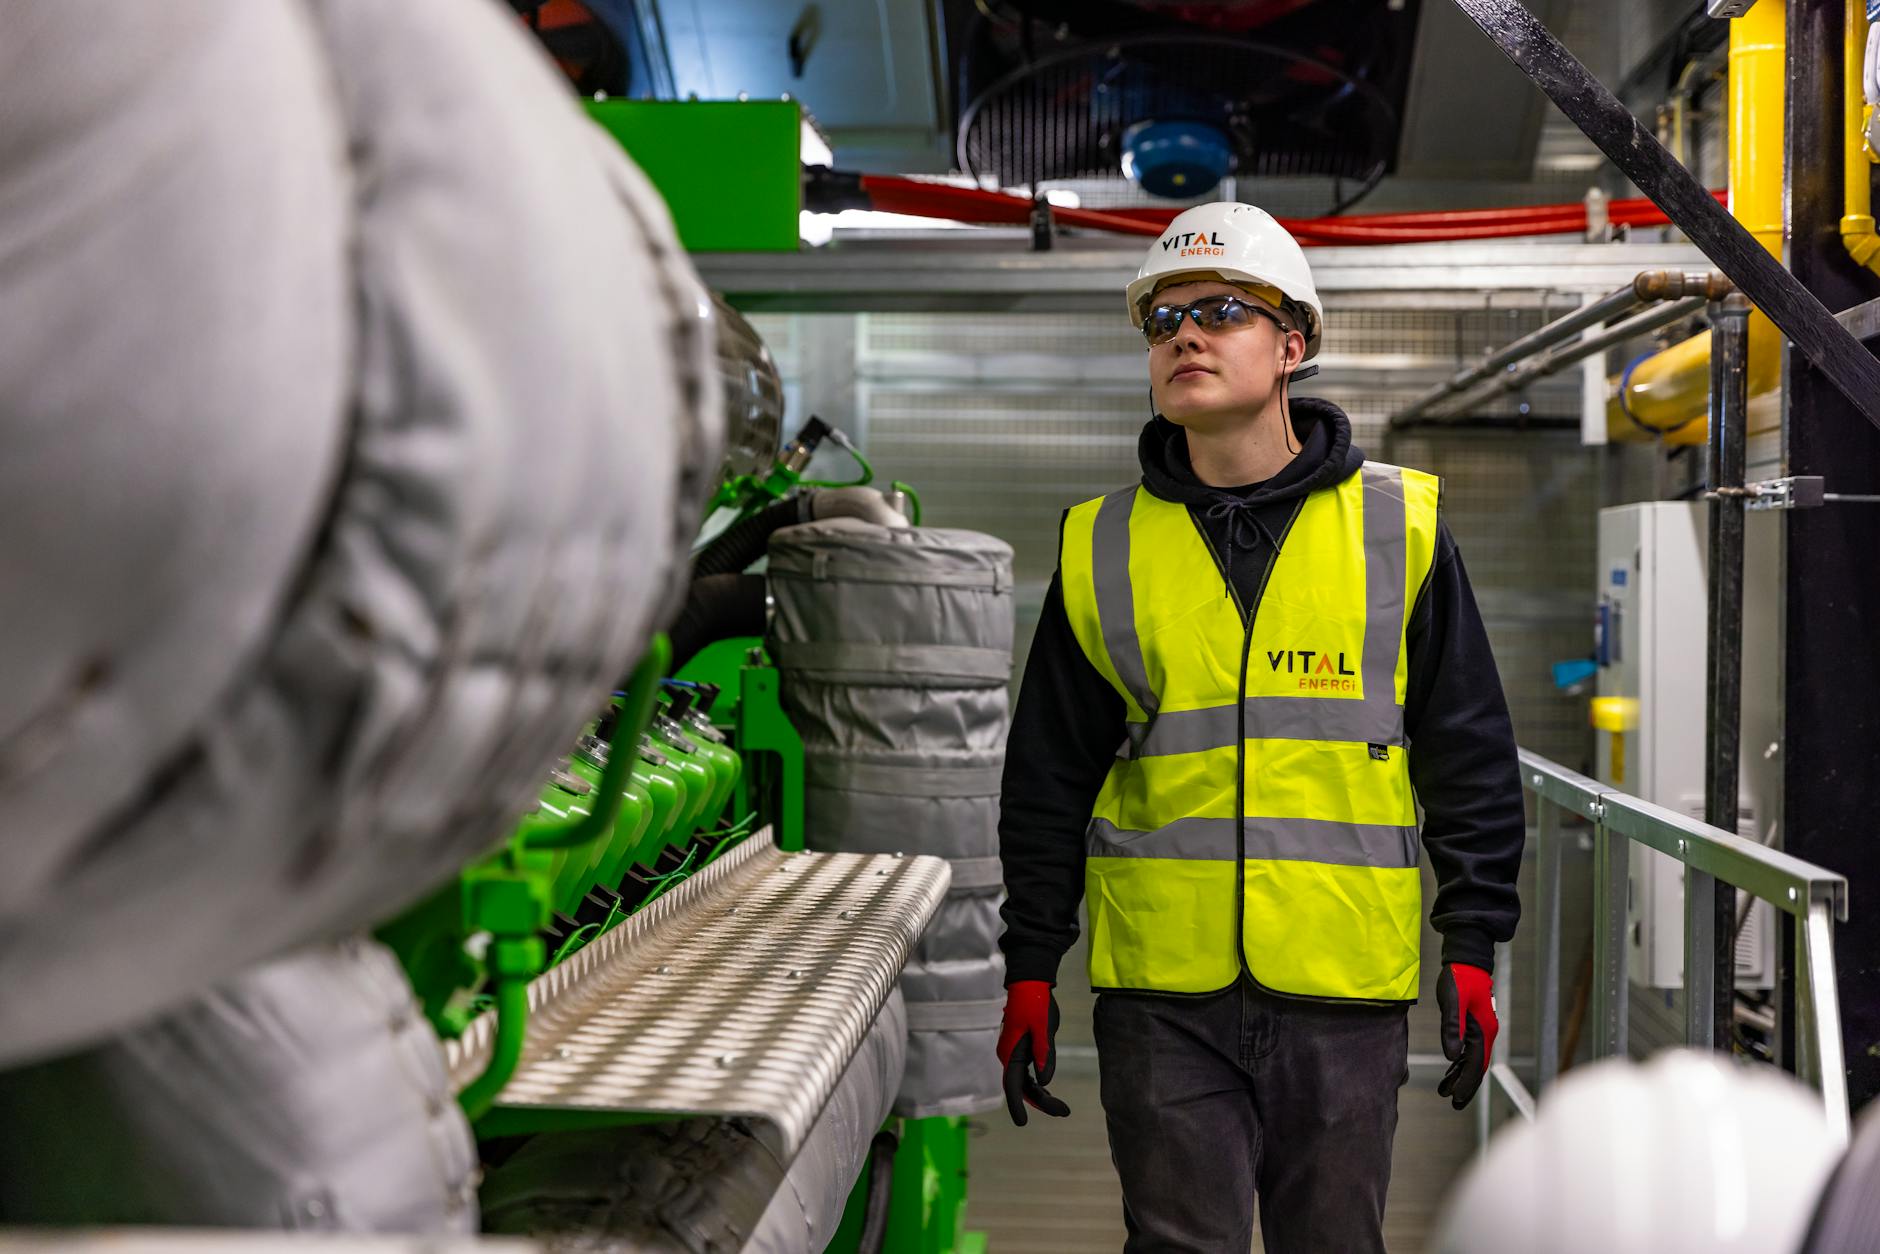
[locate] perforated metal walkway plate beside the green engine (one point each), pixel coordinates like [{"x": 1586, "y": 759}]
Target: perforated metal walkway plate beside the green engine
[{"x": 742, "y": 994}]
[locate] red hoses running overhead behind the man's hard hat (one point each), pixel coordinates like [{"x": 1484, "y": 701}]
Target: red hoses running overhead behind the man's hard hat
[{"x": 937, "y": 200}]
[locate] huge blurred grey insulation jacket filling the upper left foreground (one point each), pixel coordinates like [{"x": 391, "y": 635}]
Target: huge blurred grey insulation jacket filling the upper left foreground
[{"x": 354, "y": 424}]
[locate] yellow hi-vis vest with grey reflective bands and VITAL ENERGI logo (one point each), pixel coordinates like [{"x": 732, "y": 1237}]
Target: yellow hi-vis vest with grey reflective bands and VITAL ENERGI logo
[{"x": 1261, "y": 813}]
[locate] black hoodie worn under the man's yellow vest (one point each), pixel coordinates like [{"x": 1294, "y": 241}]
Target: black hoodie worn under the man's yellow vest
[{"x": 1462, "y": 753}]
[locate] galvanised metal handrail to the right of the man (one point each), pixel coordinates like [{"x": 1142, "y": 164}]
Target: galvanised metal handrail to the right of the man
[{"x": 1813, "y": 898}]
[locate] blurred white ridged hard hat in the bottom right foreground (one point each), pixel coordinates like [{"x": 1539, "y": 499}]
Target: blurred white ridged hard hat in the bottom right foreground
[{"x": 1684, "y": 1155}]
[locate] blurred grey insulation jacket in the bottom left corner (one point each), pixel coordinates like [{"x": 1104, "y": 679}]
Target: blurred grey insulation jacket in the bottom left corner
[{"x": 305, "y": 1093}]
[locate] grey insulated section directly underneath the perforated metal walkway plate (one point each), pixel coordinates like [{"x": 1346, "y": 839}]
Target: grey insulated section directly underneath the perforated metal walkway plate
[{"x": 702, "y": 1183}]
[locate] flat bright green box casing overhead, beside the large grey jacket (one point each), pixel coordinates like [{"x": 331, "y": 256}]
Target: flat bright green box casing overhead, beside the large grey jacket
[{"x": 730, "y": 170}]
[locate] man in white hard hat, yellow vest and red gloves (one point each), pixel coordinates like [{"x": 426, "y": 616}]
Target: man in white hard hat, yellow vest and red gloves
[{"x": 1249, "y": 674}]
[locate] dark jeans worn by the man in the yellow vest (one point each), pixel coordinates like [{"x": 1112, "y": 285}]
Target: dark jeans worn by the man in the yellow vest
[{"x": 1215, "y": 1101}]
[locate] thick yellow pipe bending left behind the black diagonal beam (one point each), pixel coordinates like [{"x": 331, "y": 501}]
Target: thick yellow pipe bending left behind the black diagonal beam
[{"x": 1672, "y": 390}]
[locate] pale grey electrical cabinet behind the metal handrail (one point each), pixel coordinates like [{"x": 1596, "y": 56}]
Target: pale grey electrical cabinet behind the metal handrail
[{"x": 1650, "y": 715}]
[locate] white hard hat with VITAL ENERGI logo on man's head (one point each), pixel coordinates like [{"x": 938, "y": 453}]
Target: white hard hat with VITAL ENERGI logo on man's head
[{"x": 1240, "y": 245}]
